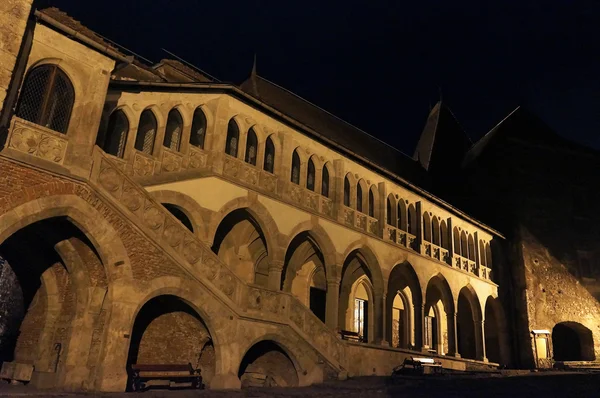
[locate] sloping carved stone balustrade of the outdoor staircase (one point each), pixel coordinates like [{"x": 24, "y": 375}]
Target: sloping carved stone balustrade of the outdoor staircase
[{"x": 202, "y": 265}]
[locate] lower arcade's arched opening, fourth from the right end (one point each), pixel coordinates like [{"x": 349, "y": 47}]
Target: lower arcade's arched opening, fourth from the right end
[{"x": 403, "y": 306}]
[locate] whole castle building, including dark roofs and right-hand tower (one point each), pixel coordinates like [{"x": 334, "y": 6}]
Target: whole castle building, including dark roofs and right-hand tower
[{"x": 153, "y": 214}]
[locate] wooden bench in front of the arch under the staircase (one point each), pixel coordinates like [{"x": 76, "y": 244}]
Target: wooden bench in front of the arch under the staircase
[{"x": 144, "y": 376}]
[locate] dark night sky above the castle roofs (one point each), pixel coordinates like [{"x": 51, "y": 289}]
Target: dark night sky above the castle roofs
[{"x": 378, "y": 64}]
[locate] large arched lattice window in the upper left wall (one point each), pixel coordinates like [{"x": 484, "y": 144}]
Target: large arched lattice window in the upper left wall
[{"x": 47, "y": 98}]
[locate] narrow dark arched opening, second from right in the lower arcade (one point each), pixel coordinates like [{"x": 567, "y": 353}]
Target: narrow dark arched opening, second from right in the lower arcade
[{"x": 468, "y": 320}]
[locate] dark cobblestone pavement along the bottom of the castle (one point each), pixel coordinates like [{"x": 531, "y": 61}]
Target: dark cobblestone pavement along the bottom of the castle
[{"x": 547, "y": 384}]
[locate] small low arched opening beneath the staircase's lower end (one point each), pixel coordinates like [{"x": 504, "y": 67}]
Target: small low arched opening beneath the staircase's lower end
[{"x": 266, "y": 364}]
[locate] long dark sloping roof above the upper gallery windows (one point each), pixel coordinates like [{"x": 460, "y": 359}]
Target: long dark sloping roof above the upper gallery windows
[{"x": 335, "y": 129}]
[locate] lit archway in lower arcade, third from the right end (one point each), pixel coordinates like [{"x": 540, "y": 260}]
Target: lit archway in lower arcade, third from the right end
[{"x": 438, "y": 317}]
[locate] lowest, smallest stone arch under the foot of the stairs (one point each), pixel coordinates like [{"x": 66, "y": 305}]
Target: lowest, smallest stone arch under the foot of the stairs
[{"x": 270, "y": 357}]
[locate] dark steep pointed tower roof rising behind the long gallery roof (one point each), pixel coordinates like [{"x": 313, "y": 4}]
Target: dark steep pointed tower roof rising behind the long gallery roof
[{"x": 441, "y": 140}]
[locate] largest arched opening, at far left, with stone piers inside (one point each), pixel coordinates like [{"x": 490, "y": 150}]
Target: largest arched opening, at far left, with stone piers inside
[{"x": 46, "y": 311}]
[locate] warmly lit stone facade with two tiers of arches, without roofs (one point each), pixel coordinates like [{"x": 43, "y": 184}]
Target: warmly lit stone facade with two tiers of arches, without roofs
[{"x": 178, "y": 220}]
